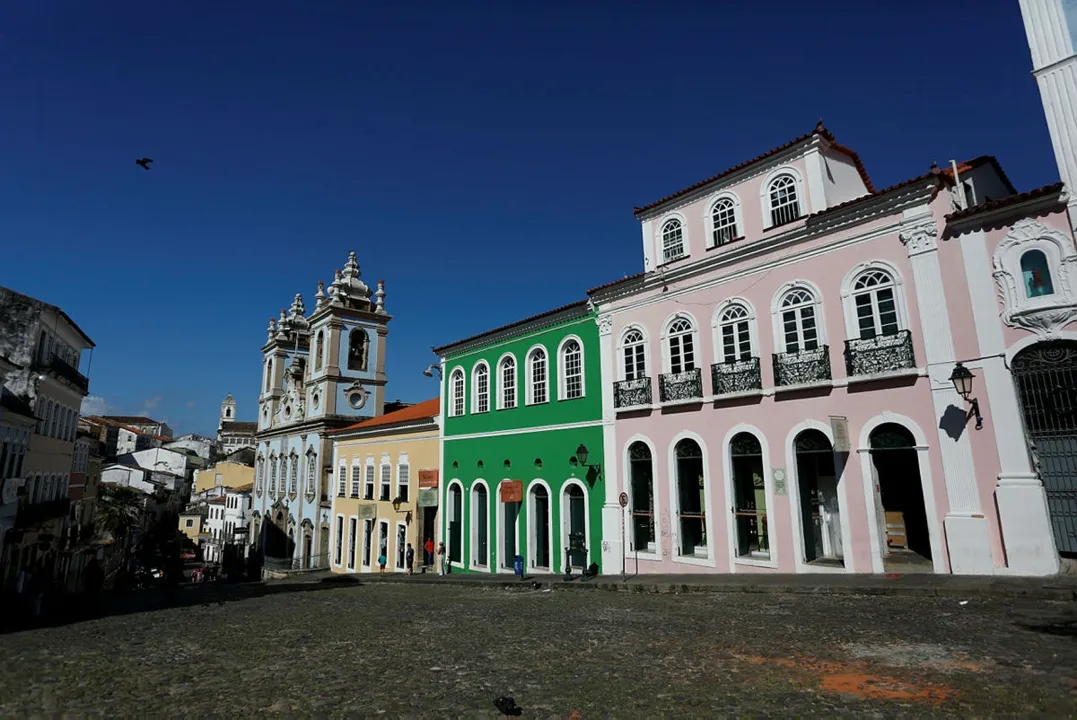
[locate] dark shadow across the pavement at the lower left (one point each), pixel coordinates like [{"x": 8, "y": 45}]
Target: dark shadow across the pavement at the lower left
[{"x": 159, "y": 599}]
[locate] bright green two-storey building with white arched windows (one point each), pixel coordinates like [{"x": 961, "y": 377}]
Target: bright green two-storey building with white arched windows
[{"x": 522, "y": 448}]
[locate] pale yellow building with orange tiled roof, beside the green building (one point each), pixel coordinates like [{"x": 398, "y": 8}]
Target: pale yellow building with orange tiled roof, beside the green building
[{"x": 385, "y": 489}]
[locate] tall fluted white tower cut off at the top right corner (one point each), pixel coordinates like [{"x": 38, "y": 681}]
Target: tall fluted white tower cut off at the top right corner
[{"x": 1052, "y": 27}]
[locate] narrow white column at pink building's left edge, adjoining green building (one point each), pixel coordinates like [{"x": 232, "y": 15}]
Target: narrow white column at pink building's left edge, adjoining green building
[{"x": 613, "y": 549}]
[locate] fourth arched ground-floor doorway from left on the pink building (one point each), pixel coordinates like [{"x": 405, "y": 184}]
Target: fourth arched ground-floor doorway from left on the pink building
[{"x": 820, "y": 510}]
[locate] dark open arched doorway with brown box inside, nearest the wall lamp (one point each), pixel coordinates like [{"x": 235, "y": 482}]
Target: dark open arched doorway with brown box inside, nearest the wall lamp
[{"x": 903, "y": 527}]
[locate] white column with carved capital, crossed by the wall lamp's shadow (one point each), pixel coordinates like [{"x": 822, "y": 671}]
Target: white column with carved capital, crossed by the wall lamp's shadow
[{"x": 967, "y": 529}]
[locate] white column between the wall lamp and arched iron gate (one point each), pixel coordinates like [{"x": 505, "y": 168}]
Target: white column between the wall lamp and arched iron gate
[{"x": 1024, "y": 516}]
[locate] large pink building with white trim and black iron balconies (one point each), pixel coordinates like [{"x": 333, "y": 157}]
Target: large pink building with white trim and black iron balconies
[{"x": 780, "y": 389}]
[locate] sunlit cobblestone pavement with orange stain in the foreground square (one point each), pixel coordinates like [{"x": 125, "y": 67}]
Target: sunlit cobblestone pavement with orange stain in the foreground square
[{"x": 335, "y": 650}]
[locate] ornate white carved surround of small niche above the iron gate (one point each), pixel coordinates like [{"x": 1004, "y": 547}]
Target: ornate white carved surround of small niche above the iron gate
[{"x": 1040, "y": 300}]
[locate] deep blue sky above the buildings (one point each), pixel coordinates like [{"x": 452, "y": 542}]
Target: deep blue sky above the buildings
[{"x": 483, "y": 159}]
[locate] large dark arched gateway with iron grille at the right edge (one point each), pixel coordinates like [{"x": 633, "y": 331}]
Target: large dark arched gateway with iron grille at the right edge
[{"x": 1046, "y": 377}]
